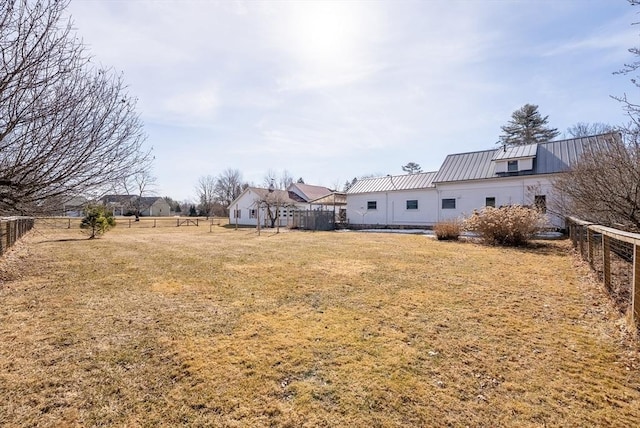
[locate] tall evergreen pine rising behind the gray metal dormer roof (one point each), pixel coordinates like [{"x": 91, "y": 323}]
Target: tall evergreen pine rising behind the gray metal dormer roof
[{"x": 527, "y": 126}]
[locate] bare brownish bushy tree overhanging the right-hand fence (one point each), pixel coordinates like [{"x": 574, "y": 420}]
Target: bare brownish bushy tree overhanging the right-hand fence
[{"x": 604, "y": 185}]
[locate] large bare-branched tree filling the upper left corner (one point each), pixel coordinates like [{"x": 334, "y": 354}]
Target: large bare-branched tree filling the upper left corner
[{"x": 66, "y": 127}]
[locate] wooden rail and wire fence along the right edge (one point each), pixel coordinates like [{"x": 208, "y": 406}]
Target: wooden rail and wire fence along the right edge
[{"x": 615, "y": 257}]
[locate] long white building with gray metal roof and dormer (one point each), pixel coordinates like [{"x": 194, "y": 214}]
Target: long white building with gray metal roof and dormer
[{"x": 467, "y": 182}]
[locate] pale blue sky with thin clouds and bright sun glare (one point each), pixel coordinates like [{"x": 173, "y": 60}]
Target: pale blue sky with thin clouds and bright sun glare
[{"x": 332, "y": 90}]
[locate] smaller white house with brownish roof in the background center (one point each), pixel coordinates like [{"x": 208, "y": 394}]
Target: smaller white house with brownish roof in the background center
[{"x": 252, "y": 204}]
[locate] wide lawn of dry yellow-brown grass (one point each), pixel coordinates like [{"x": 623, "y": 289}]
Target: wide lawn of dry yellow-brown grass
[{"x": 182, "y": 326}]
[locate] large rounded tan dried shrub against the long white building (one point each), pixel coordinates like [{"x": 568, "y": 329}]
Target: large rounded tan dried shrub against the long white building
[{"x": 511, "y": 225}]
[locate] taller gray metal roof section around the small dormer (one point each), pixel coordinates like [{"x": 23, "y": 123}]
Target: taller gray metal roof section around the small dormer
[{"x": 551, "y": 157}]
